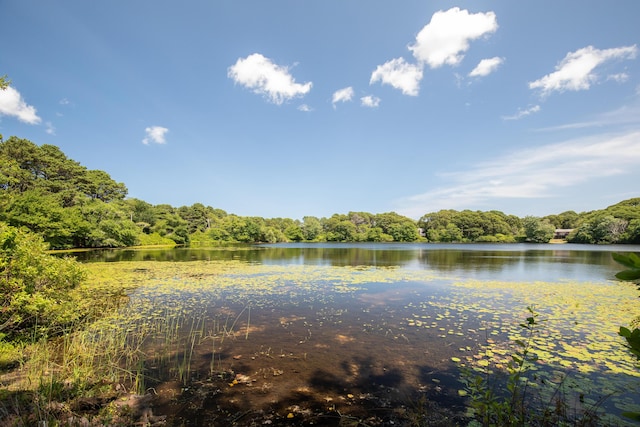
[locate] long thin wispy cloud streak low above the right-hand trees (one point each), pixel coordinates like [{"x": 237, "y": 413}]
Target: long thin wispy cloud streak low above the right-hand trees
[{"x": 531, "y": 173}]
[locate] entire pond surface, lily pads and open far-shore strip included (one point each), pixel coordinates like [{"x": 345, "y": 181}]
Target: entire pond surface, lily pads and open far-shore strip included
[{"x": 320, "y": 332}]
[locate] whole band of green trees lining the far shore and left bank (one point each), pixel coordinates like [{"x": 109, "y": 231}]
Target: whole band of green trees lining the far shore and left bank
[{"x": 70, "y": 206}]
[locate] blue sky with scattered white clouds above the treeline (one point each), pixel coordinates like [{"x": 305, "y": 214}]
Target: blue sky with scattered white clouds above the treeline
[{"x": 292, "y": 108}]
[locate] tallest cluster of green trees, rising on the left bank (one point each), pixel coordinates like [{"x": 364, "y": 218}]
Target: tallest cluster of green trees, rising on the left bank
[{"x": 67, "y": 204}]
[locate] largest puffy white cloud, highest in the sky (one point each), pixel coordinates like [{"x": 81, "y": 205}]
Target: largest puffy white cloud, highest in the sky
[{"x": 446, "y": 38}]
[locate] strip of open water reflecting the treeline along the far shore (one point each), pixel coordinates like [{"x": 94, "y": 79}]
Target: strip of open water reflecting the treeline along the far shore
[{"x": 486, "y": 261}]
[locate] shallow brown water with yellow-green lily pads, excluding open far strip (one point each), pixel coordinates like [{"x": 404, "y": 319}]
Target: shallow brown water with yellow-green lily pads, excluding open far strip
[{"x": 229, "y": 342}]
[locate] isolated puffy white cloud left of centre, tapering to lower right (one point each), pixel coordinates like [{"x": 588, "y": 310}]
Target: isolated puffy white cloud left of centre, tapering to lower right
[{"x": 260, "y": 74}]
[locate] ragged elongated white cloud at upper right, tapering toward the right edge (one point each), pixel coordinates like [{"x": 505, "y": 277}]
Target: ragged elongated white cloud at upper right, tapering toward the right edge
[{"x": 576, "y": 71}]
